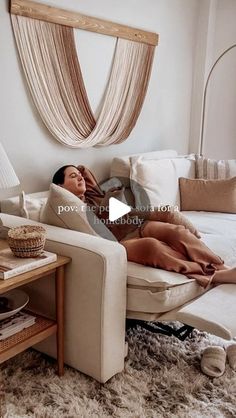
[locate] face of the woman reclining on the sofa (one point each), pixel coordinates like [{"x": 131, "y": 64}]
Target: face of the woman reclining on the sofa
[{"x": 74, "y": 181}]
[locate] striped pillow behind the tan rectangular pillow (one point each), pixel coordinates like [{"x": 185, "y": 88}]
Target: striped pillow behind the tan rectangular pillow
[{"x": 209, "y": 169}]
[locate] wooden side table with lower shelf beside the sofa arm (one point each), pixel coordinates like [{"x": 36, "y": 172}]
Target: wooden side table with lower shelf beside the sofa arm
[{"x": 43, "y": 327}]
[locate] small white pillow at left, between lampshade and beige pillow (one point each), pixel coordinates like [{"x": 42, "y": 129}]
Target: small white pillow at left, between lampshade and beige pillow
[{"x": 30, "y": 208}]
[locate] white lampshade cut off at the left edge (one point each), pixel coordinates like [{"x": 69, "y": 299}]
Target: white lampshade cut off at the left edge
[{"x": 8, "y": 177}]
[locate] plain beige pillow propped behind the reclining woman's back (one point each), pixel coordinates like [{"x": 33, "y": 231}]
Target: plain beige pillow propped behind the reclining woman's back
[{"x": 66, "y": 210}]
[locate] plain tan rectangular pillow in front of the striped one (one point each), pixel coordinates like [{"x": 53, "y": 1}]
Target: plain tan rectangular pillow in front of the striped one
[{"x": 208, "y": 195}]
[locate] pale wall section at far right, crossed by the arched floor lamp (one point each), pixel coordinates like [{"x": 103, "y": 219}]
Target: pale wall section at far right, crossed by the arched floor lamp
[{"x": 220, "y": 132}]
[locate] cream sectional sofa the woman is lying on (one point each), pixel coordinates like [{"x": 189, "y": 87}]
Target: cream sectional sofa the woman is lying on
[{"x": 102, "y": 288}]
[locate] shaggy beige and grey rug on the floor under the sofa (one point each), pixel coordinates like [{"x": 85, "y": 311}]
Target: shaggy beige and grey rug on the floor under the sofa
[{"x": 162, "y": 379}]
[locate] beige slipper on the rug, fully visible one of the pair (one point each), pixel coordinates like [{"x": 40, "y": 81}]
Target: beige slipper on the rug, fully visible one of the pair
[{"x": 213, "y": 361}]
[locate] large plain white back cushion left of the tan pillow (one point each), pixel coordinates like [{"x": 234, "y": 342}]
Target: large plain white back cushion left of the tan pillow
[{"x": 157, "y": 180}]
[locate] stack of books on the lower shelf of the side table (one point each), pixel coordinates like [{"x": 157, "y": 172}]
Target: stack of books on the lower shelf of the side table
[{"x": 15, "y": 323}]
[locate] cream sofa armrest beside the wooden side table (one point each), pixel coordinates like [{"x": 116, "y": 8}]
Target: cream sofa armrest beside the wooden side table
[{"x": 95, "y": 299}]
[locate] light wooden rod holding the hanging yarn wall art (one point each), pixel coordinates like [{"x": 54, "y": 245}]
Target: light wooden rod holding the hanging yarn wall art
[{"x": 77, "y": 20}]
